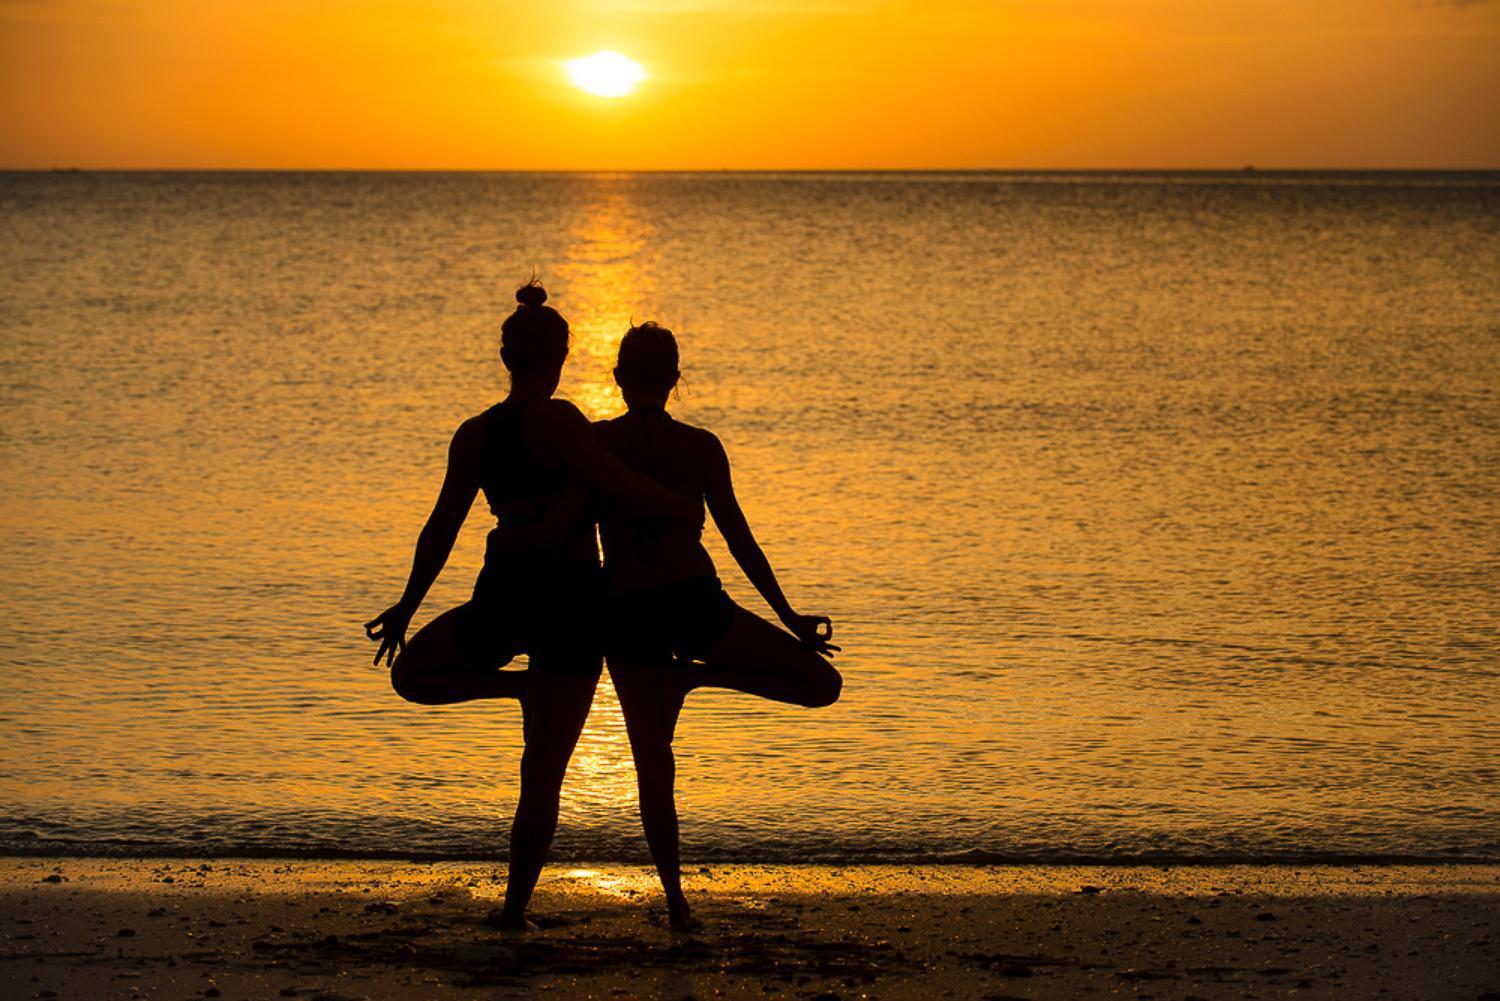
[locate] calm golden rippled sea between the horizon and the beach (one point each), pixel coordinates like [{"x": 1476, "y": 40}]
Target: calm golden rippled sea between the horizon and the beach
[{"x": 1159, "y": 516}]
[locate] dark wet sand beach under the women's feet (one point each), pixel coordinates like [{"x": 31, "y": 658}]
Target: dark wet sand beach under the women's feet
[{"x": 85, "y": 928}]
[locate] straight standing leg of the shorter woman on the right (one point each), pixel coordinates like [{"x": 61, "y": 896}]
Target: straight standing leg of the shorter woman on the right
[{"x": 650, "y": 700}]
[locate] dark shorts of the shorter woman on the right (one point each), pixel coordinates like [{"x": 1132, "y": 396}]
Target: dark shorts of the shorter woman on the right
[{"x": 683, "y": 621}]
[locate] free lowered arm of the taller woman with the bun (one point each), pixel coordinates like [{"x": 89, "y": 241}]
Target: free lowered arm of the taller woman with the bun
[{"x": 436, "y": 541}]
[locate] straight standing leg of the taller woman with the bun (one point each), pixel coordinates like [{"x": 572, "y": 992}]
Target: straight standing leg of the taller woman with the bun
[{"x": 557, "y": 708}]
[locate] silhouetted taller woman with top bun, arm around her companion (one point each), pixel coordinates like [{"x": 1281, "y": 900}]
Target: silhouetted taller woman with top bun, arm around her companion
[{"x": 539, "y": 598}]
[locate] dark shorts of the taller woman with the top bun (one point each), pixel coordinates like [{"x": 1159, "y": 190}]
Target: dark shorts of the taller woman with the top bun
[{"x": 551, "y": 613}]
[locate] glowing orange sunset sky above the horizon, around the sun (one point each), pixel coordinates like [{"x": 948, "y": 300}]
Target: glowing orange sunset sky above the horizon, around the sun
[{"x": 751, "y": 83}]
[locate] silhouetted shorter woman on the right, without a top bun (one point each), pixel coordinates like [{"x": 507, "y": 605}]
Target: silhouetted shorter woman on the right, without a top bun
[{"x": 667, "y": 607}]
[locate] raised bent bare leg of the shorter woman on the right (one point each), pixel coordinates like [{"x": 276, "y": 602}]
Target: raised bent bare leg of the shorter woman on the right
[{"x": 760, "y": 660}]
